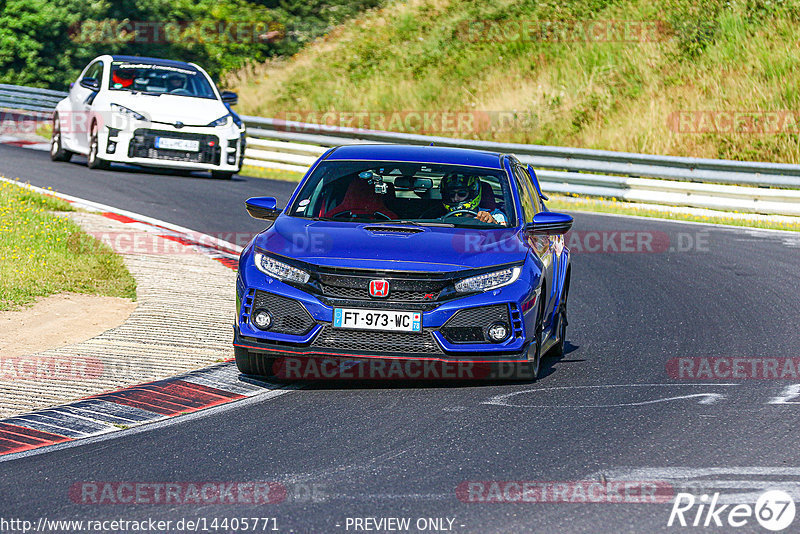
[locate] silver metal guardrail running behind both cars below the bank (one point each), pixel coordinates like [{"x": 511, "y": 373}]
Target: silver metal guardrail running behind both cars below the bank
[{"x": 756, "y": 187}]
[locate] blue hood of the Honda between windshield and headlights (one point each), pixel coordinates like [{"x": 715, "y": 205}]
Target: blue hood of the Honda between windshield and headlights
[{"x": 355, "y": 245}]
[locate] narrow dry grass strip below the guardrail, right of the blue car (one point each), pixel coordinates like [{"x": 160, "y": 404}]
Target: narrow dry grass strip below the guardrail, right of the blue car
[{"x": 559, "y": 203}]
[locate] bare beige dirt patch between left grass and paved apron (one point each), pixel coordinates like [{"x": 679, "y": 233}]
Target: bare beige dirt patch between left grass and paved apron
[{"x": 60, "y": 320}]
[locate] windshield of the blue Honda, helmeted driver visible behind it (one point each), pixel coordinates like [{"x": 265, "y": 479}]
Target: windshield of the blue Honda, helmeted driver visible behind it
[{"x": 401, "y": 192}]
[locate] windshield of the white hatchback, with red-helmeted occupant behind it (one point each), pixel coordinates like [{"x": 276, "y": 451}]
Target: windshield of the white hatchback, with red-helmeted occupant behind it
[{"x": 157, "y": 79}]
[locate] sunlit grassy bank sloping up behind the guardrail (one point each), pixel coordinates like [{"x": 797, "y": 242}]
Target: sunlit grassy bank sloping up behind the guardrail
[{"x": 616, "y": 91}]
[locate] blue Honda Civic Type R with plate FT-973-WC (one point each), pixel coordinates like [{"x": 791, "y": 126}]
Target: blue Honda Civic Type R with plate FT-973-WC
[{"x": 405, "y": 252}]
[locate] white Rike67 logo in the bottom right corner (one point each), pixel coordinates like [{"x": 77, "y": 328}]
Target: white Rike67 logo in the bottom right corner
[{"x": 774, "y": 510}]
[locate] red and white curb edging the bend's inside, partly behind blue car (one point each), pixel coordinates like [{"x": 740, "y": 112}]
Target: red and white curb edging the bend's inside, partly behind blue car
[{"x": 145, "y": 403}]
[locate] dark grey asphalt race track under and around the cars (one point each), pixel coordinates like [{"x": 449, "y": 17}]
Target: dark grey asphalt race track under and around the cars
[{"x": 610, "y": 410}]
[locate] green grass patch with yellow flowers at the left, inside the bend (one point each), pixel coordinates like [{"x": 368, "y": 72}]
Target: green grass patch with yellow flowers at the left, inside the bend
[{"x": 42, "y": 253}]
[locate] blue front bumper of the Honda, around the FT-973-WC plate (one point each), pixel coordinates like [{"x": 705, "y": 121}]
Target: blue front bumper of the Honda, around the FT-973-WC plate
[{"x": 453, "y": 329}]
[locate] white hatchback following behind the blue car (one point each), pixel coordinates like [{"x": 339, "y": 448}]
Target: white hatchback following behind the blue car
[{"x": 150, "y": 112}]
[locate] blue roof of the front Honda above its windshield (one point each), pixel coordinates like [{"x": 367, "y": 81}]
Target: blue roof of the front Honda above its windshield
[{"x": 419, "y": 154}]
